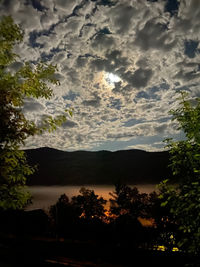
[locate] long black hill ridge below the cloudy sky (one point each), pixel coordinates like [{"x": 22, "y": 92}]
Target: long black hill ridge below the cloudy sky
[{"x": 57, "y": 167}]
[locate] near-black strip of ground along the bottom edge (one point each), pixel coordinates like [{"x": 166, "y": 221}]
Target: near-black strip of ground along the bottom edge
[{"x": 26, "y": 251}]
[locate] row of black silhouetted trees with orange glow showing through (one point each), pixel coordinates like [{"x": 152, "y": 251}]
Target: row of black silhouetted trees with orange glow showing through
[{"x": 88, "y": 216}]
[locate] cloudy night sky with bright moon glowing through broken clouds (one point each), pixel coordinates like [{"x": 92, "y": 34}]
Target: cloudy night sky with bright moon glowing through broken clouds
[{"x": 120, "y": 64}]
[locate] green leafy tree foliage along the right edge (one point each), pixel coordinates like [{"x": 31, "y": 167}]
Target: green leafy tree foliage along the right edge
[{"x": 183, "y": 198}]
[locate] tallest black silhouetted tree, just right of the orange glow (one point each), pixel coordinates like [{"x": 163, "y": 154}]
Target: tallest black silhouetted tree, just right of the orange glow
[{"x": 126, "y": 205}]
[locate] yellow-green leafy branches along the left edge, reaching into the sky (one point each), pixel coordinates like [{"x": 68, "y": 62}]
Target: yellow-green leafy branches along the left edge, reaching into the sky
[{"x": 27, "y": 82}]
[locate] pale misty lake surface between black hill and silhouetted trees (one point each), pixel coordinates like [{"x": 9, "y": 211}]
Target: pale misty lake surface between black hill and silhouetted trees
[{"x": 45, "y": 196}]
